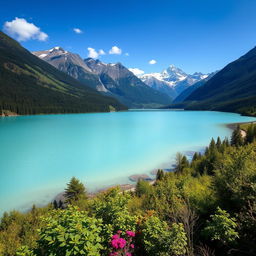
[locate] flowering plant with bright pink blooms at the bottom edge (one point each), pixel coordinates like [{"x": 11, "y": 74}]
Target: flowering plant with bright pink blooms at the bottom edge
[{"x": 122, "y": 243}]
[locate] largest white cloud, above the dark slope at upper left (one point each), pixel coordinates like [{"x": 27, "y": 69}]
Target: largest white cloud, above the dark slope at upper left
[{"x": 23, "y": 30}]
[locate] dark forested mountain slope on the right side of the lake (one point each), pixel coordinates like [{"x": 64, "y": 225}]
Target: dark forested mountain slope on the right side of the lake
[{"x": 231, "y": 89}]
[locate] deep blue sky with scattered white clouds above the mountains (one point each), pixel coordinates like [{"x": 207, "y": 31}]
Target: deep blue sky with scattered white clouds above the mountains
[{"x": 149, "y": 35}]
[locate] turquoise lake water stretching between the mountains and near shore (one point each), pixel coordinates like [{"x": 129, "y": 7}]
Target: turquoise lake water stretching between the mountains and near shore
[{"x": 39, "y": 154}]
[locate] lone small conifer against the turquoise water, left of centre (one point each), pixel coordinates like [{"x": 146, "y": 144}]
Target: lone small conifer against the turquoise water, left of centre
[{"x": 75, "y": 190}]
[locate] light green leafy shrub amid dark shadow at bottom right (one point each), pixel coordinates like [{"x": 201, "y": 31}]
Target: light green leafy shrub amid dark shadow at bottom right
[{"x": 221, "y": 227}]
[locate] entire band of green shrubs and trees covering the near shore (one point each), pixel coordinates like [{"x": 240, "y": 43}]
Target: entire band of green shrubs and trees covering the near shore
[{"x": 174, "y": 216}]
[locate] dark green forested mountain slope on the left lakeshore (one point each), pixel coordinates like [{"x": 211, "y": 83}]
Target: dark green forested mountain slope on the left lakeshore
[{"x": 29, "y": 85}]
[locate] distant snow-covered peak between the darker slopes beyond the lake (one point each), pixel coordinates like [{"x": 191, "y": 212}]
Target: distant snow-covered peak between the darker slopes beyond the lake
[{"x": 172, "y": 81}]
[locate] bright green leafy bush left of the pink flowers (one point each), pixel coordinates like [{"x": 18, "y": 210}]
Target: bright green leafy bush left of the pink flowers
[{"x": 70, "y": 232}]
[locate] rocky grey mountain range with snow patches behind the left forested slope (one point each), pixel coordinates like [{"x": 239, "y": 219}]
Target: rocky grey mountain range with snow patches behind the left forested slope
[{"x": 109, "y": 79}]
